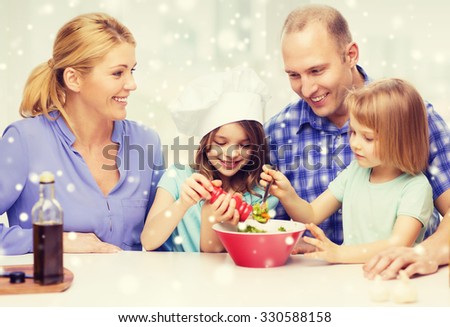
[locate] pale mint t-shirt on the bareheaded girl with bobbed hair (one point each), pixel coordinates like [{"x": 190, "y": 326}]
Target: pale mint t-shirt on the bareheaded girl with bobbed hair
[{"x": 370, "y": 210}]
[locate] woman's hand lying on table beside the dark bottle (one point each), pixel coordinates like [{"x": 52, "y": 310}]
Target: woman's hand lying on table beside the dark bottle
[{"x": 86, "y": 243}]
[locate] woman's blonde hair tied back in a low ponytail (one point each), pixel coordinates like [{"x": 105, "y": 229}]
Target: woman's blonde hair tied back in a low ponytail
[{"x": 81, "y": 43}]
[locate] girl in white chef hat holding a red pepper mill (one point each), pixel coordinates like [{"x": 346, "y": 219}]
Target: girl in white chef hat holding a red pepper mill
[{"x": 224, "y": 109}]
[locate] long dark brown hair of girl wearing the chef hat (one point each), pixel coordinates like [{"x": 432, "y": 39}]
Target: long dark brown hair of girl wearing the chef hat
[{"x": 246, "y": 179}]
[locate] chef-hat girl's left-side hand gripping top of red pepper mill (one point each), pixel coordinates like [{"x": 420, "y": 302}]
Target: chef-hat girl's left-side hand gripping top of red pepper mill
[{"x": 195, "y": 188}]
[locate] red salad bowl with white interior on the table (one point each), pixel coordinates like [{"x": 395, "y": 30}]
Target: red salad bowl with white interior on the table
[{"x": 260, "y": 250}]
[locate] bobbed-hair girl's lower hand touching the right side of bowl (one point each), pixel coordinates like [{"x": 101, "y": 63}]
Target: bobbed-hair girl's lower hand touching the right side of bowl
[{"x": 326, "y": 250}]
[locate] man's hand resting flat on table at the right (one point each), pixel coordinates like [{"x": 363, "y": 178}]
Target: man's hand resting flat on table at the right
[{"x": 388, "y": 263}]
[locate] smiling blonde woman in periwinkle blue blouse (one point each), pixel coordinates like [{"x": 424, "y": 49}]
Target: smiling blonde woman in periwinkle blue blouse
[{"x": 75, "y": 107}]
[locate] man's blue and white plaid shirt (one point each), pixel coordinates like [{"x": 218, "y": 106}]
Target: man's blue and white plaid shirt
[{"x": 311, "y": 151}]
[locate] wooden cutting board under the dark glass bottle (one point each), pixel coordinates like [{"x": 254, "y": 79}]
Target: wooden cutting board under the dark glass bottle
[{"x": 30, "y": 286}]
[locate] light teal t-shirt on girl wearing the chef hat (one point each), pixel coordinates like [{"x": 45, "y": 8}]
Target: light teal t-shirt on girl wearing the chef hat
[{"x": 186, "y": 236}]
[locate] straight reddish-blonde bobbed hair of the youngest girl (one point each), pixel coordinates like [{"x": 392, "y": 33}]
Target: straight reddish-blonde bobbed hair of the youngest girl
[{"x": 396, "y": 112}]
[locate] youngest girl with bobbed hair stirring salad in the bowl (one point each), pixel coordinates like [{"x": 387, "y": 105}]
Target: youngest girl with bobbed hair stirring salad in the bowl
[{"x": 384, "y": 197}]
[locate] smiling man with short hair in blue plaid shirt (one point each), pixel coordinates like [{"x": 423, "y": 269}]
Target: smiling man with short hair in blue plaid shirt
[{"x": 308, "y": 139}]
